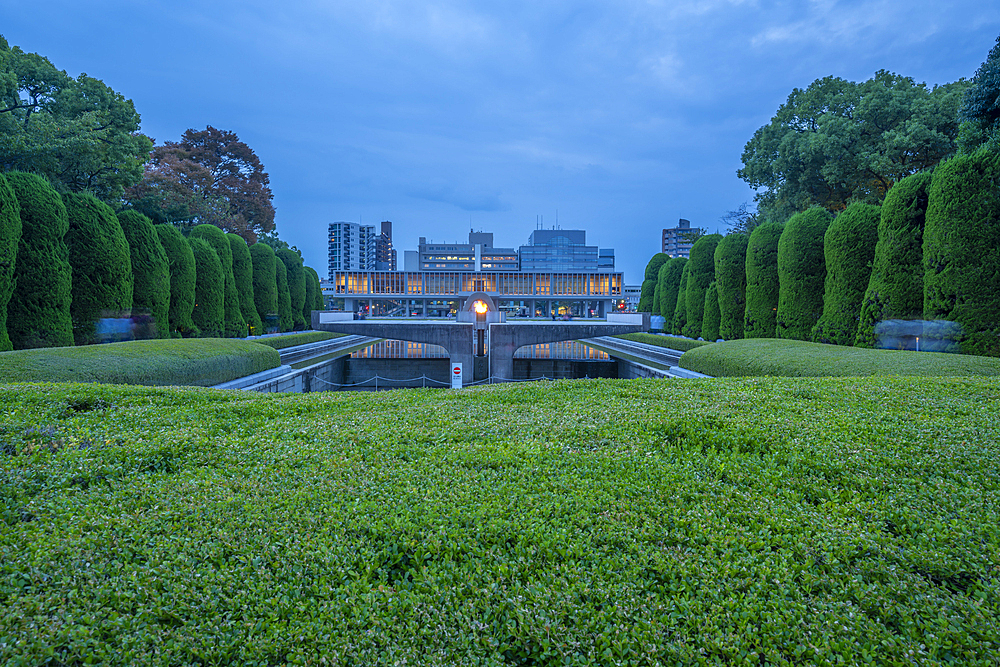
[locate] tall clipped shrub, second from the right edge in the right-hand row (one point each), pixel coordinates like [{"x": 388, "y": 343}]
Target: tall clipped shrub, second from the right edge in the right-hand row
[{"x": 896, "y": 285}]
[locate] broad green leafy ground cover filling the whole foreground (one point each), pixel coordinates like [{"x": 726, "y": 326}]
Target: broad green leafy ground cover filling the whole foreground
[{"x": 594, "y": 522}]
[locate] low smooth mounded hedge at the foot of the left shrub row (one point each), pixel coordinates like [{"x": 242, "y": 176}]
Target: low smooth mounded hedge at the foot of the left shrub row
[{"x": 200, "y": 362}]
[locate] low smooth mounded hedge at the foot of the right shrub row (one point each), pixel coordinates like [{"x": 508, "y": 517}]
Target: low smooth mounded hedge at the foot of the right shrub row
[{"x": 790, "y": 358}]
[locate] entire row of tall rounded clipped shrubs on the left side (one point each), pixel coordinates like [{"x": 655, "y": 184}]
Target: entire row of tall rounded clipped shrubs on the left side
[{"x": 69, "y": 263}]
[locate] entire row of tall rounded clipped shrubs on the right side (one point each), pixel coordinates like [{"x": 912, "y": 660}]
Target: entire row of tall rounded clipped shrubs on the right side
[{"x": 930, "y": 251}]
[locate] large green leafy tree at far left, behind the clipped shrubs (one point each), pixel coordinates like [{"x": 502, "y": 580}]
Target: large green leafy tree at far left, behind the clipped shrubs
[{"x": 79, "y": 133}]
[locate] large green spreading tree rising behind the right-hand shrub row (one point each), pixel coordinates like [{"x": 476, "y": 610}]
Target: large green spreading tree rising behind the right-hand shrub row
[{"x": 837, "y": 141}]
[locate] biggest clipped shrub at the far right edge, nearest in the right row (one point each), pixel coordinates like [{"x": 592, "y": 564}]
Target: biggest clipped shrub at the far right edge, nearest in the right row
[{"x": 962, "y": 249}]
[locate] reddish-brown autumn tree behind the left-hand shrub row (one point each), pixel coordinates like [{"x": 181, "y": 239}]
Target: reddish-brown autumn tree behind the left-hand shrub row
[{"x": 208, "y": 177}]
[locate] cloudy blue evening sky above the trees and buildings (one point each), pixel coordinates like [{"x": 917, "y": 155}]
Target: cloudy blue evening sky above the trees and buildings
[{"x": 439, "y": 115}]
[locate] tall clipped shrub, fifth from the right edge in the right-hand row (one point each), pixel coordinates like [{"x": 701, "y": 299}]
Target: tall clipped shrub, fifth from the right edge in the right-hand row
[{"x": 762, "y": 281}]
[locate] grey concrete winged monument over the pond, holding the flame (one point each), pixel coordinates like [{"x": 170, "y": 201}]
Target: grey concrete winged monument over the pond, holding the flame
[{"x": 459, "y": 338}]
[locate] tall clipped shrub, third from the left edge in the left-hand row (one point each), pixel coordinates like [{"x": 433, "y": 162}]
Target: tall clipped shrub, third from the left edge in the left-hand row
[{"x": 102, "y": 266}]
